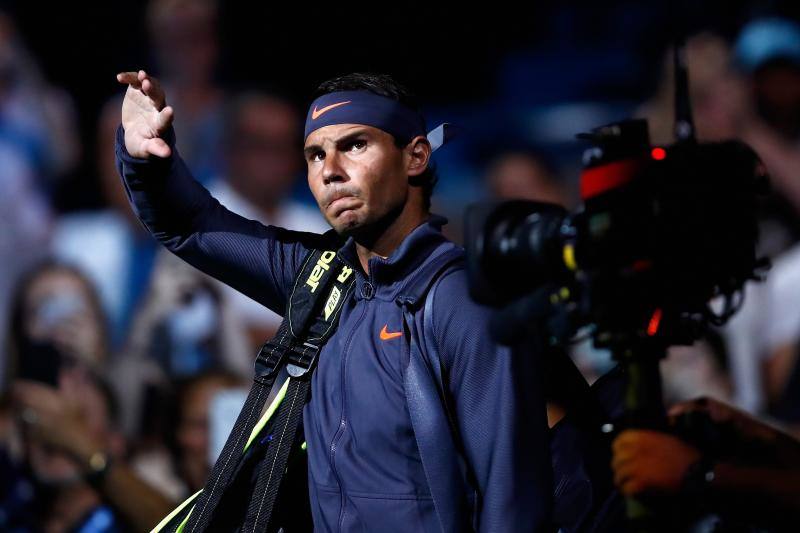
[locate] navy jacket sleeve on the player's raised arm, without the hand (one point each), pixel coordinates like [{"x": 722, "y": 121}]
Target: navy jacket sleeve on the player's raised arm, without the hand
[{"x": 258, "y": 260}]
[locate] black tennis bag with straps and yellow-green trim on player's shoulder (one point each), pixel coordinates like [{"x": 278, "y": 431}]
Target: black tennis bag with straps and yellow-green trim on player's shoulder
[{"x": 247, "y": 481}]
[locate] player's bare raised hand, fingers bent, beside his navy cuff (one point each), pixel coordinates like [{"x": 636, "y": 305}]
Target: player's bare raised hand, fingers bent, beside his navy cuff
[{"x": 145, "y": 115}]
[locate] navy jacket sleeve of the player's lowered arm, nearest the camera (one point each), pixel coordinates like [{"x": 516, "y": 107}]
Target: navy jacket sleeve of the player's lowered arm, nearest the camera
[{"x": 499, "y": 410}]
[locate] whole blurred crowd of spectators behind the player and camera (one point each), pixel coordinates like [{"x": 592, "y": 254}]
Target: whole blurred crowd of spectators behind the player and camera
[{"x": 121, "y": 365}]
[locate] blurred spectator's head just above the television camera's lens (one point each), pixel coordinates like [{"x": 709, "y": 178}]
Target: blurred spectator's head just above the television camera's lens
[{"x": 522, "y": 177}]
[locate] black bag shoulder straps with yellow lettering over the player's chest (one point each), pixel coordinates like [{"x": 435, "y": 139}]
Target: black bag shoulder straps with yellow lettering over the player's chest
[{"x": 308, "y": 323}]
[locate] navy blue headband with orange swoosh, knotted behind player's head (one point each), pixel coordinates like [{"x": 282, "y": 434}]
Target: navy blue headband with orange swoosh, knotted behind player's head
[{"x": 370, "y": 109}]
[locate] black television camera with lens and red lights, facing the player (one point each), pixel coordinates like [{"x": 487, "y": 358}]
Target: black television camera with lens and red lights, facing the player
[{"x": 662, "y": 231}]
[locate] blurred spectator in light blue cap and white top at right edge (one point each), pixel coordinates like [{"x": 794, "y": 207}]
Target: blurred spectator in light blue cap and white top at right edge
[{"x": 763, "y": 337}]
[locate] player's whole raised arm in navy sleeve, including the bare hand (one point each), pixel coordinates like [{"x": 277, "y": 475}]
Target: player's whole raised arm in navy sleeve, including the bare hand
[{"x": 258, "y": 260}]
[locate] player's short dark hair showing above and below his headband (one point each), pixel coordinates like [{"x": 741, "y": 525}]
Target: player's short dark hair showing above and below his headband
[{"x": 385, "y": 85}]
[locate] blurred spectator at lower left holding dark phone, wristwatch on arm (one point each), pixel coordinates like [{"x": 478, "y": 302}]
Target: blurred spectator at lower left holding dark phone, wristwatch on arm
[{"x": 67, "y": 439}]
